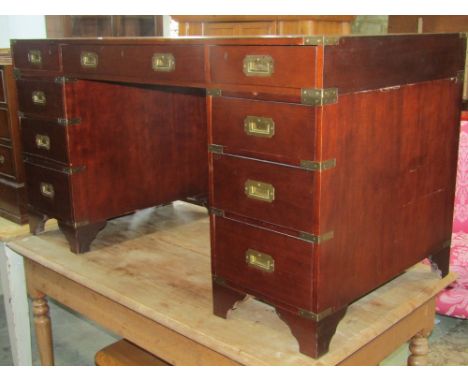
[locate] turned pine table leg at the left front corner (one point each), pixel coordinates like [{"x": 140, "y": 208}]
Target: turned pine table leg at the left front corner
[{"x": 43, "y": 328}]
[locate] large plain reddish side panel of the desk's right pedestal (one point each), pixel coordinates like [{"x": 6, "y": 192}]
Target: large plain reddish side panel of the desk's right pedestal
[{"x": 390, "y": 198}]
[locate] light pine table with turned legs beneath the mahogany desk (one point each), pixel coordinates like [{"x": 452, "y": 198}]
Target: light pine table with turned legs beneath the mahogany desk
[{"x": 148, "y": 280}]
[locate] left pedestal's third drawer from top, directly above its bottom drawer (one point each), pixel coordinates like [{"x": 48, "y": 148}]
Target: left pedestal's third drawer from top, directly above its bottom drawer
[{"x": 45, "y": 139}]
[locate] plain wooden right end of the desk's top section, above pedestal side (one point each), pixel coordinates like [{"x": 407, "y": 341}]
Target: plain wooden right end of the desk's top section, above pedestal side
[{"x": 363, "y": 63}]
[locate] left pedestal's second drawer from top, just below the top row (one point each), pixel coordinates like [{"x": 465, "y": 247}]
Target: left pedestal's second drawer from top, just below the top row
[{"x": 41, "y": 98}]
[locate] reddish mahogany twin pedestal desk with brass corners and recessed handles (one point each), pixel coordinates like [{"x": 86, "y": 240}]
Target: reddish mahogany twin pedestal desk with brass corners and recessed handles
[{"x": 327, "y": 163}]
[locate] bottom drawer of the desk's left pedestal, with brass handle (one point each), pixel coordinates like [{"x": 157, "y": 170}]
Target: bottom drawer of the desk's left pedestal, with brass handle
[{"x": 48, "y": 191}]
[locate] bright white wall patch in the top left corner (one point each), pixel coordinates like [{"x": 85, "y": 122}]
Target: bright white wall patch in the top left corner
[{"x": 21, "y": 27}]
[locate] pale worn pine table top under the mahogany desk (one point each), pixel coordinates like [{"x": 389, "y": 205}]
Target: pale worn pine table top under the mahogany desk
[{"x": 157, "y": 263}]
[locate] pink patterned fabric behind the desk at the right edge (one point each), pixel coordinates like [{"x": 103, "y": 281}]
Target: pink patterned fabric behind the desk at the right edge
[{"x": 454, "y": 300}]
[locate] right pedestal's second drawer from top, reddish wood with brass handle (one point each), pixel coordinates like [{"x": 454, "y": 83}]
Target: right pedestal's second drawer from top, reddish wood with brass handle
[{"x": 267, "y": 130}]
